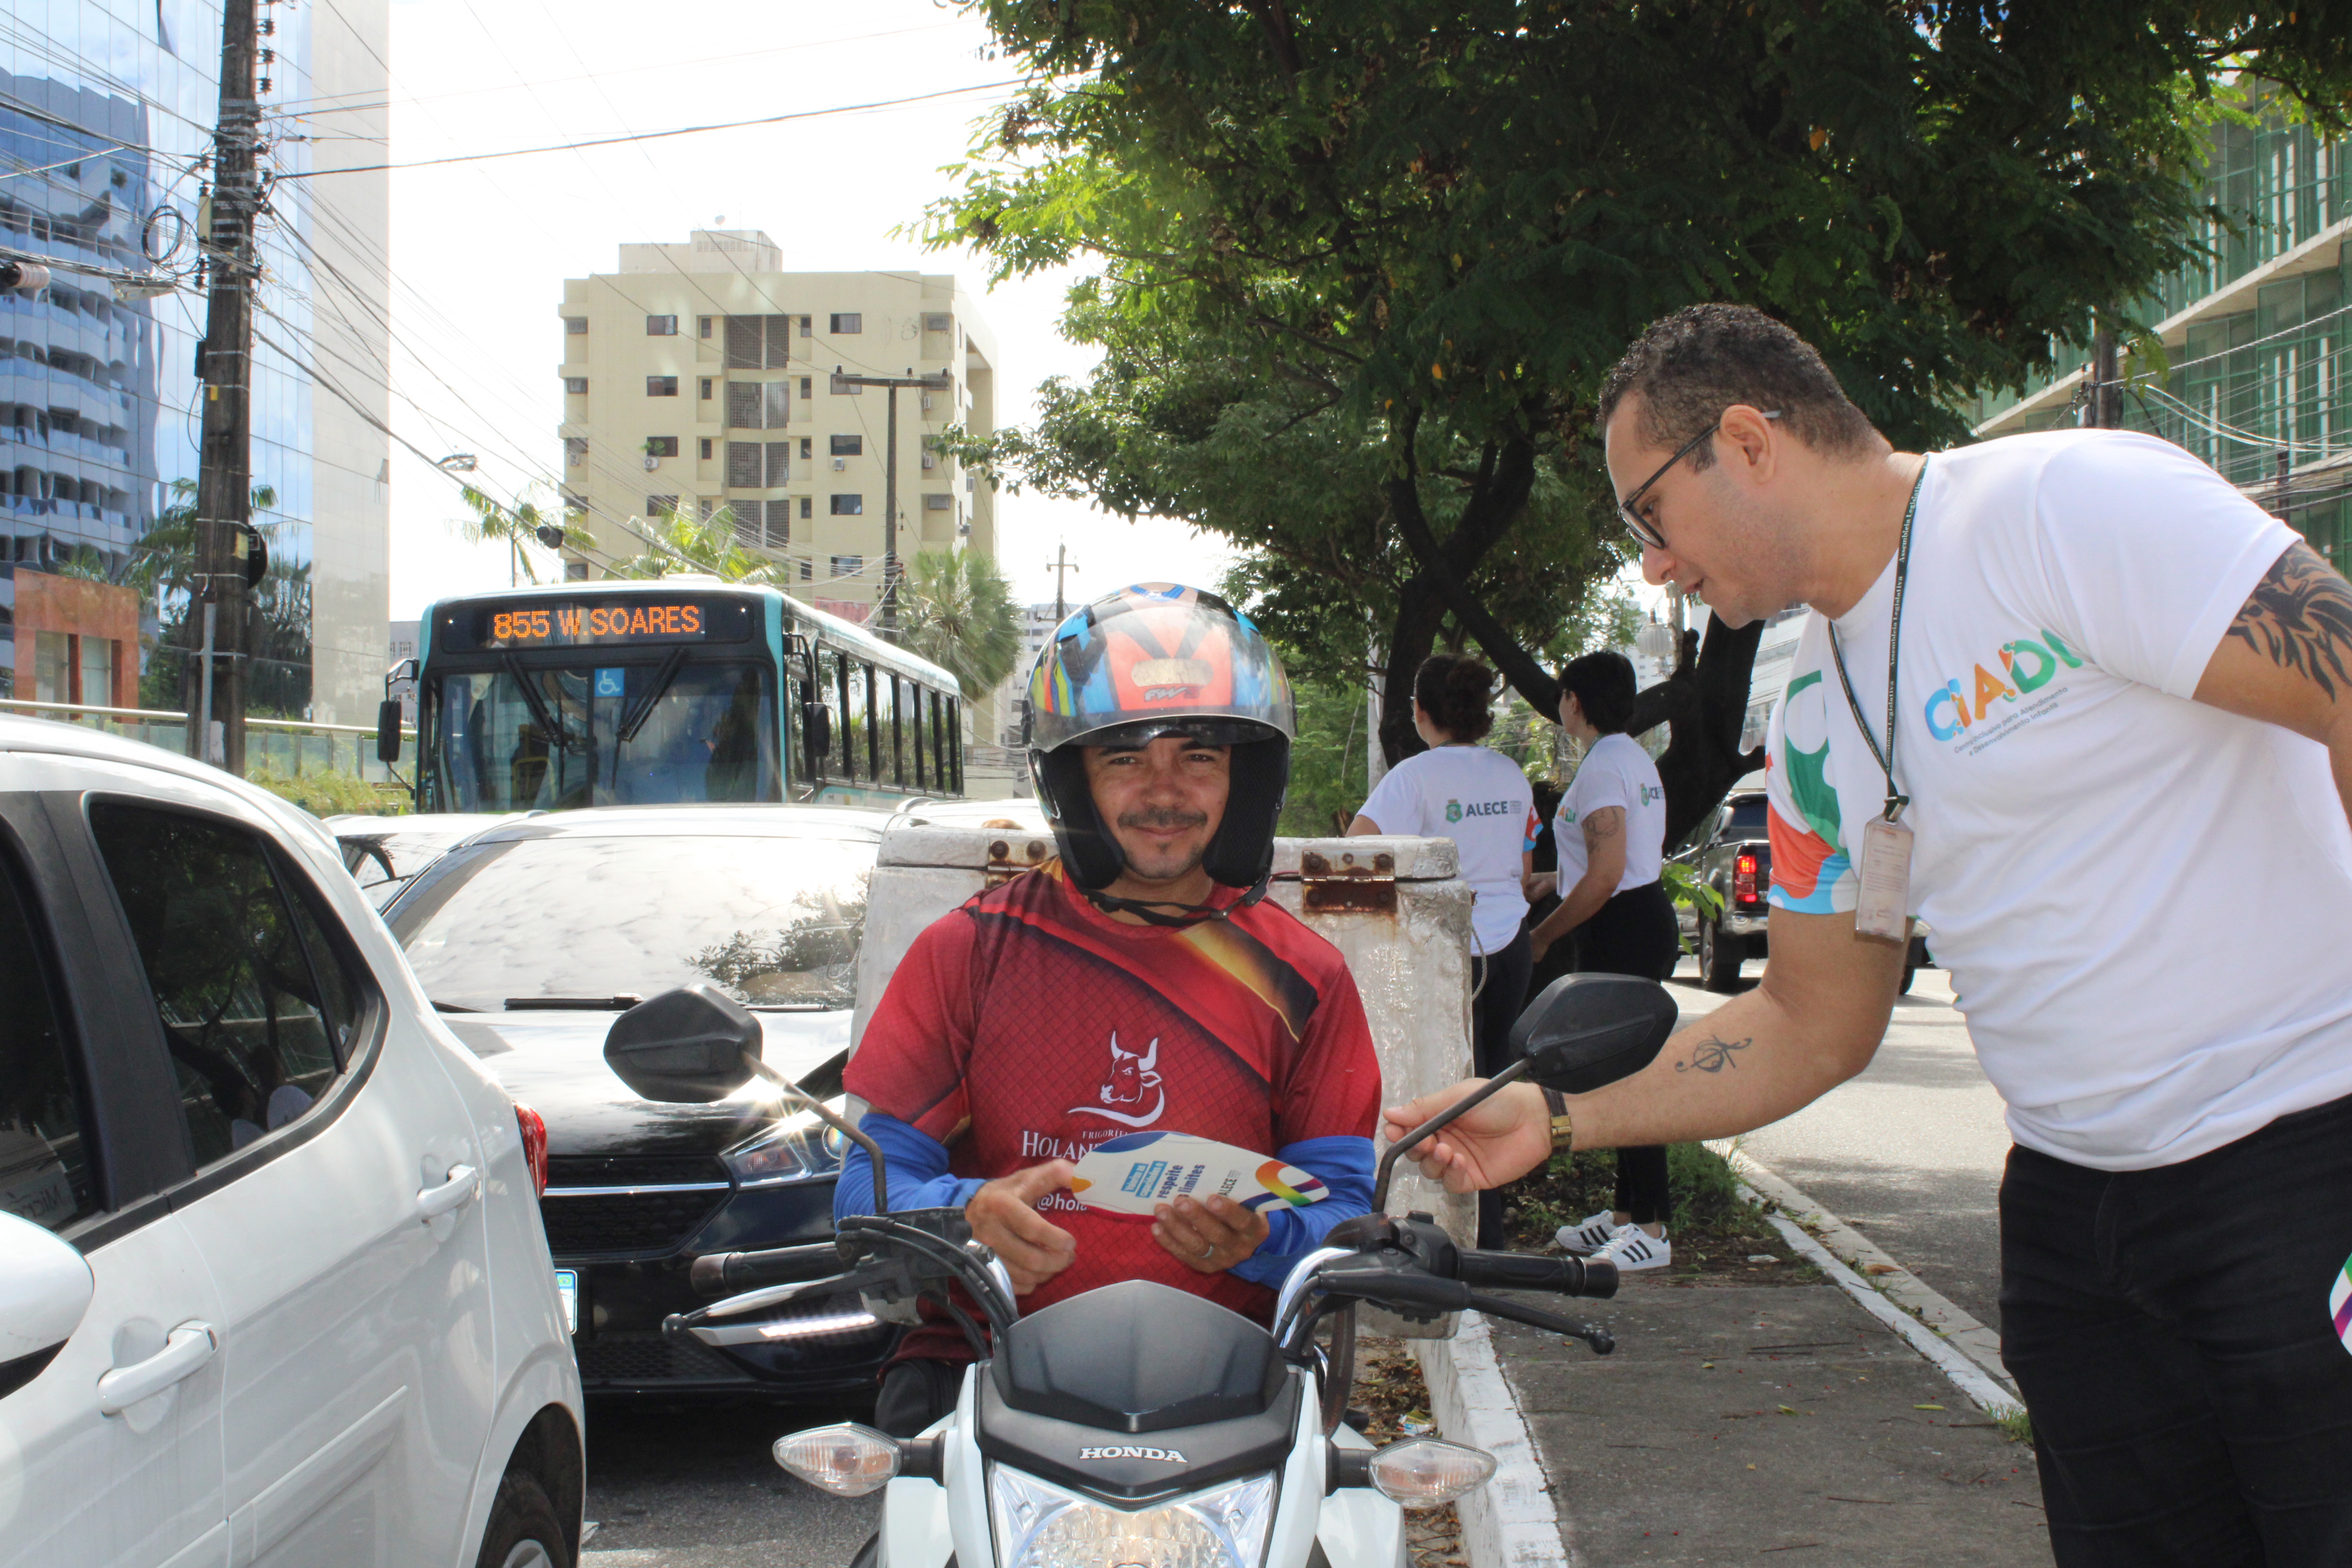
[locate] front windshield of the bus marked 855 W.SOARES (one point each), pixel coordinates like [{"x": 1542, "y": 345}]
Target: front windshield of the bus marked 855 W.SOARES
[{"x": 554, "y": 737}]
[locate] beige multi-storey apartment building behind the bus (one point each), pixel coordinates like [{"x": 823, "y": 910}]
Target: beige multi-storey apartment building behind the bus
[{"x": 704, "y": 375}]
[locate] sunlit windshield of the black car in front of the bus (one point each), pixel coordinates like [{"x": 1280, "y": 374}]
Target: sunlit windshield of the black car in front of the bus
[{"x": 773, "y": 920}]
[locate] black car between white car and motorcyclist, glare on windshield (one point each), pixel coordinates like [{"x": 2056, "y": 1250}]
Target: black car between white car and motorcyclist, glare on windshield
[{"x": 537, "y": 934}]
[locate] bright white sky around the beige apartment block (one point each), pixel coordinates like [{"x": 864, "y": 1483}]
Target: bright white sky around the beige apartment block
[{"x": 481, "y": 248}]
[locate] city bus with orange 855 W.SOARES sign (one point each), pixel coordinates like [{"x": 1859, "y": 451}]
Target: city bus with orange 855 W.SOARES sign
[{"x": 669, "y": 690}]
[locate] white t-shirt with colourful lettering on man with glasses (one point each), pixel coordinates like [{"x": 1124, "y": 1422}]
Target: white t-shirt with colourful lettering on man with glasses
[{"x": 2141, "y": 899}]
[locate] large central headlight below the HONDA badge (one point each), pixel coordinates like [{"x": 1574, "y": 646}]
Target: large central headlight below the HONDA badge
[{"x": 1045, "y": 1527}]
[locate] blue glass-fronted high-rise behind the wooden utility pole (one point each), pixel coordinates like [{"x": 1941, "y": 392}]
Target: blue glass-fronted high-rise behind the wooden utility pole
[{"x": 107, "y": 114}]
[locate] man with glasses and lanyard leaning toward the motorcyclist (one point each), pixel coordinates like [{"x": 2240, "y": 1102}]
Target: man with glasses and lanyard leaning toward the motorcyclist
[{"x": 2123, "y": 742}]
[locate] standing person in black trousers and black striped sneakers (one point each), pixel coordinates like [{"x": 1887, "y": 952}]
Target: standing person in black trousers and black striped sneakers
[{"x": 1617, "y": 913}]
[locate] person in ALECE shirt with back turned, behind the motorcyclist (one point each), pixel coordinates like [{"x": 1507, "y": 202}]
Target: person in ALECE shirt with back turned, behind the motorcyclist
[{"x": 1478, "y": 798}]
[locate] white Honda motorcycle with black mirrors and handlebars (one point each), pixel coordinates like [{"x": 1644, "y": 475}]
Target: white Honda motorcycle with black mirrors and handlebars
[{"x": 1140, "y": 1426}]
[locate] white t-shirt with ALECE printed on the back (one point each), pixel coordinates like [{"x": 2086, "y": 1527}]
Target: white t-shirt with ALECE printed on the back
[{"x": 1478, "y": 798}]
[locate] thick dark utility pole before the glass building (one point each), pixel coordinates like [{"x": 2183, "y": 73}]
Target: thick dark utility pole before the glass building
[{"x": 225, "y": 361}]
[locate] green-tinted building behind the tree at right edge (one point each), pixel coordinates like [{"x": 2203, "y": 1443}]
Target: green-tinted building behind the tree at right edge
[{"x": 2254, "y": 333}]
